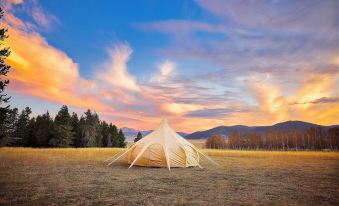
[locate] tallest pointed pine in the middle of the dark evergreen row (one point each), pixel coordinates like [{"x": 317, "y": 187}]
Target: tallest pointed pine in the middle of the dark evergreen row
[{"x": 63, "y": 136}]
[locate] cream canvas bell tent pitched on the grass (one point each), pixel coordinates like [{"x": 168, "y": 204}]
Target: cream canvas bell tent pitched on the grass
[{"x": 163, "y": 148}]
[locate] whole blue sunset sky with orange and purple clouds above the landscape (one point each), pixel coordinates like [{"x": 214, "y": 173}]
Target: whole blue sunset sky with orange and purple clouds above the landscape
[{"x": 200, "y": 64}]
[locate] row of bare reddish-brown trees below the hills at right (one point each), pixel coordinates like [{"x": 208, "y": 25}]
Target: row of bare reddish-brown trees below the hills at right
[{"x": 310, "y": 139}]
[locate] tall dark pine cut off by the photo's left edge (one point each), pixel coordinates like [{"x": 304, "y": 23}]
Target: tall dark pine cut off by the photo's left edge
[{"x": 4, "y": 99}]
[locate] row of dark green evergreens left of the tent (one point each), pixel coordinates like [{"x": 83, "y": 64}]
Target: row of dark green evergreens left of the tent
[{"x": 65, "y": 130}]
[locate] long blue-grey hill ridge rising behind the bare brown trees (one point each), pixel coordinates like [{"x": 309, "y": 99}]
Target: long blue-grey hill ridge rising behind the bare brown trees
[{"x": 283, "y": 126}]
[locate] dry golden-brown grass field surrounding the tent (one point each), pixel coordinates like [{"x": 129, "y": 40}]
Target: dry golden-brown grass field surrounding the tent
[{"x": 80, "y": 177}]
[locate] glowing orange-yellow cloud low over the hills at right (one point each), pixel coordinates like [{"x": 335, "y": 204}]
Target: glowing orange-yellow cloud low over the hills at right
[{"x": 302, "y": 103}]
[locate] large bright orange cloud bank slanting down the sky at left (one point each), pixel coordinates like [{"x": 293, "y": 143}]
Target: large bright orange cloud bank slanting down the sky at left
[{"x": 39, "y": 69}]
